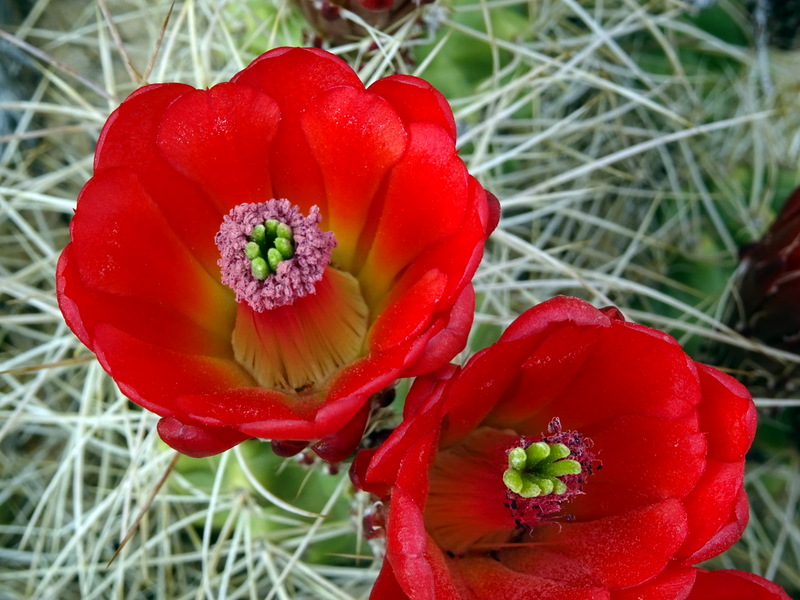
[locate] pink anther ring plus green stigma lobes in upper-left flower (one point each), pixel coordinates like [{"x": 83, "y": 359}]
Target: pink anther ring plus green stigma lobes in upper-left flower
[{"x": 271, "y": 254}]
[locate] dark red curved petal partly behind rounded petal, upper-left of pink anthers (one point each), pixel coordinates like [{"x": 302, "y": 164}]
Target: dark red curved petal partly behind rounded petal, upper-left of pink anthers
[{"x": 129, "y": 140}]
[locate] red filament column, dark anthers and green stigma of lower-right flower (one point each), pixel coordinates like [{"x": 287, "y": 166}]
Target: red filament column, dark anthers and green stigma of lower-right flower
[{"x": 495, "y": 486}]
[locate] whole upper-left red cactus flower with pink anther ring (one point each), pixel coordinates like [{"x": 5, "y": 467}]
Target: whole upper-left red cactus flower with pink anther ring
[{"x": 341, "y": 220}]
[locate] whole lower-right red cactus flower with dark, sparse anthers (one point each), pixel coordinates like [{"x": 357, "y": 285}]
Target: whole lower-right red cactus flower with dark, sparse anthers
[{"x": 580, "y": 457}]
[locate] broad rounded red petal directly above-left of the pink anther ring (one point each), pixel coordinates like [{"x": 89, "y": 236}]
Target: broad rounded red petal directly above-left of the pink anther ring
[{"x": 220, "y": 139}]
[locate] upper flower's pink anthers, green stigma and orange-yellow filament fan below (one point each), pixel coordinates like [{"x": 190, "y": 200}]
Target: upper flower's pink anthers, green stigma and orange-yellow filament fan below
[{"x": 299, "y": 319}]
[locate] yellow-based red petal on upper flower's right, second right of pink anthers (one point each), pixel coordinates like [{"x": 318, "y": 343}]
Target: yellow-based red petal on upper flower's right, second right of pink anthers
[{"x": 425, "y": 201}]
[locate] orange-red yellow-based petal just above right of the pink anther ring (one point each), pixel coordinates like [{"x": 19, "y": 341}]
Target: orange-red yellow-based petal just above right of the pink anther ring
[{"x": 355, "y": 138}]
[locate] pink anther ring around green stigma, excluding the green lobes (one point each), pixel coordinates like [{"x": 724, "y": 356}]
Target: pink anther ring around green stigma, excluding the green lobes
[{"x": 295, "y": 277}]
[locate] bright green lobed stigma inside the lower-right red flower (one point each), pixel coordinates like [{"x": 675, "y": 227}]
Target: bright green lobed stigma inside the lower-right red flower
[{"x": 536, "y": 470}]
